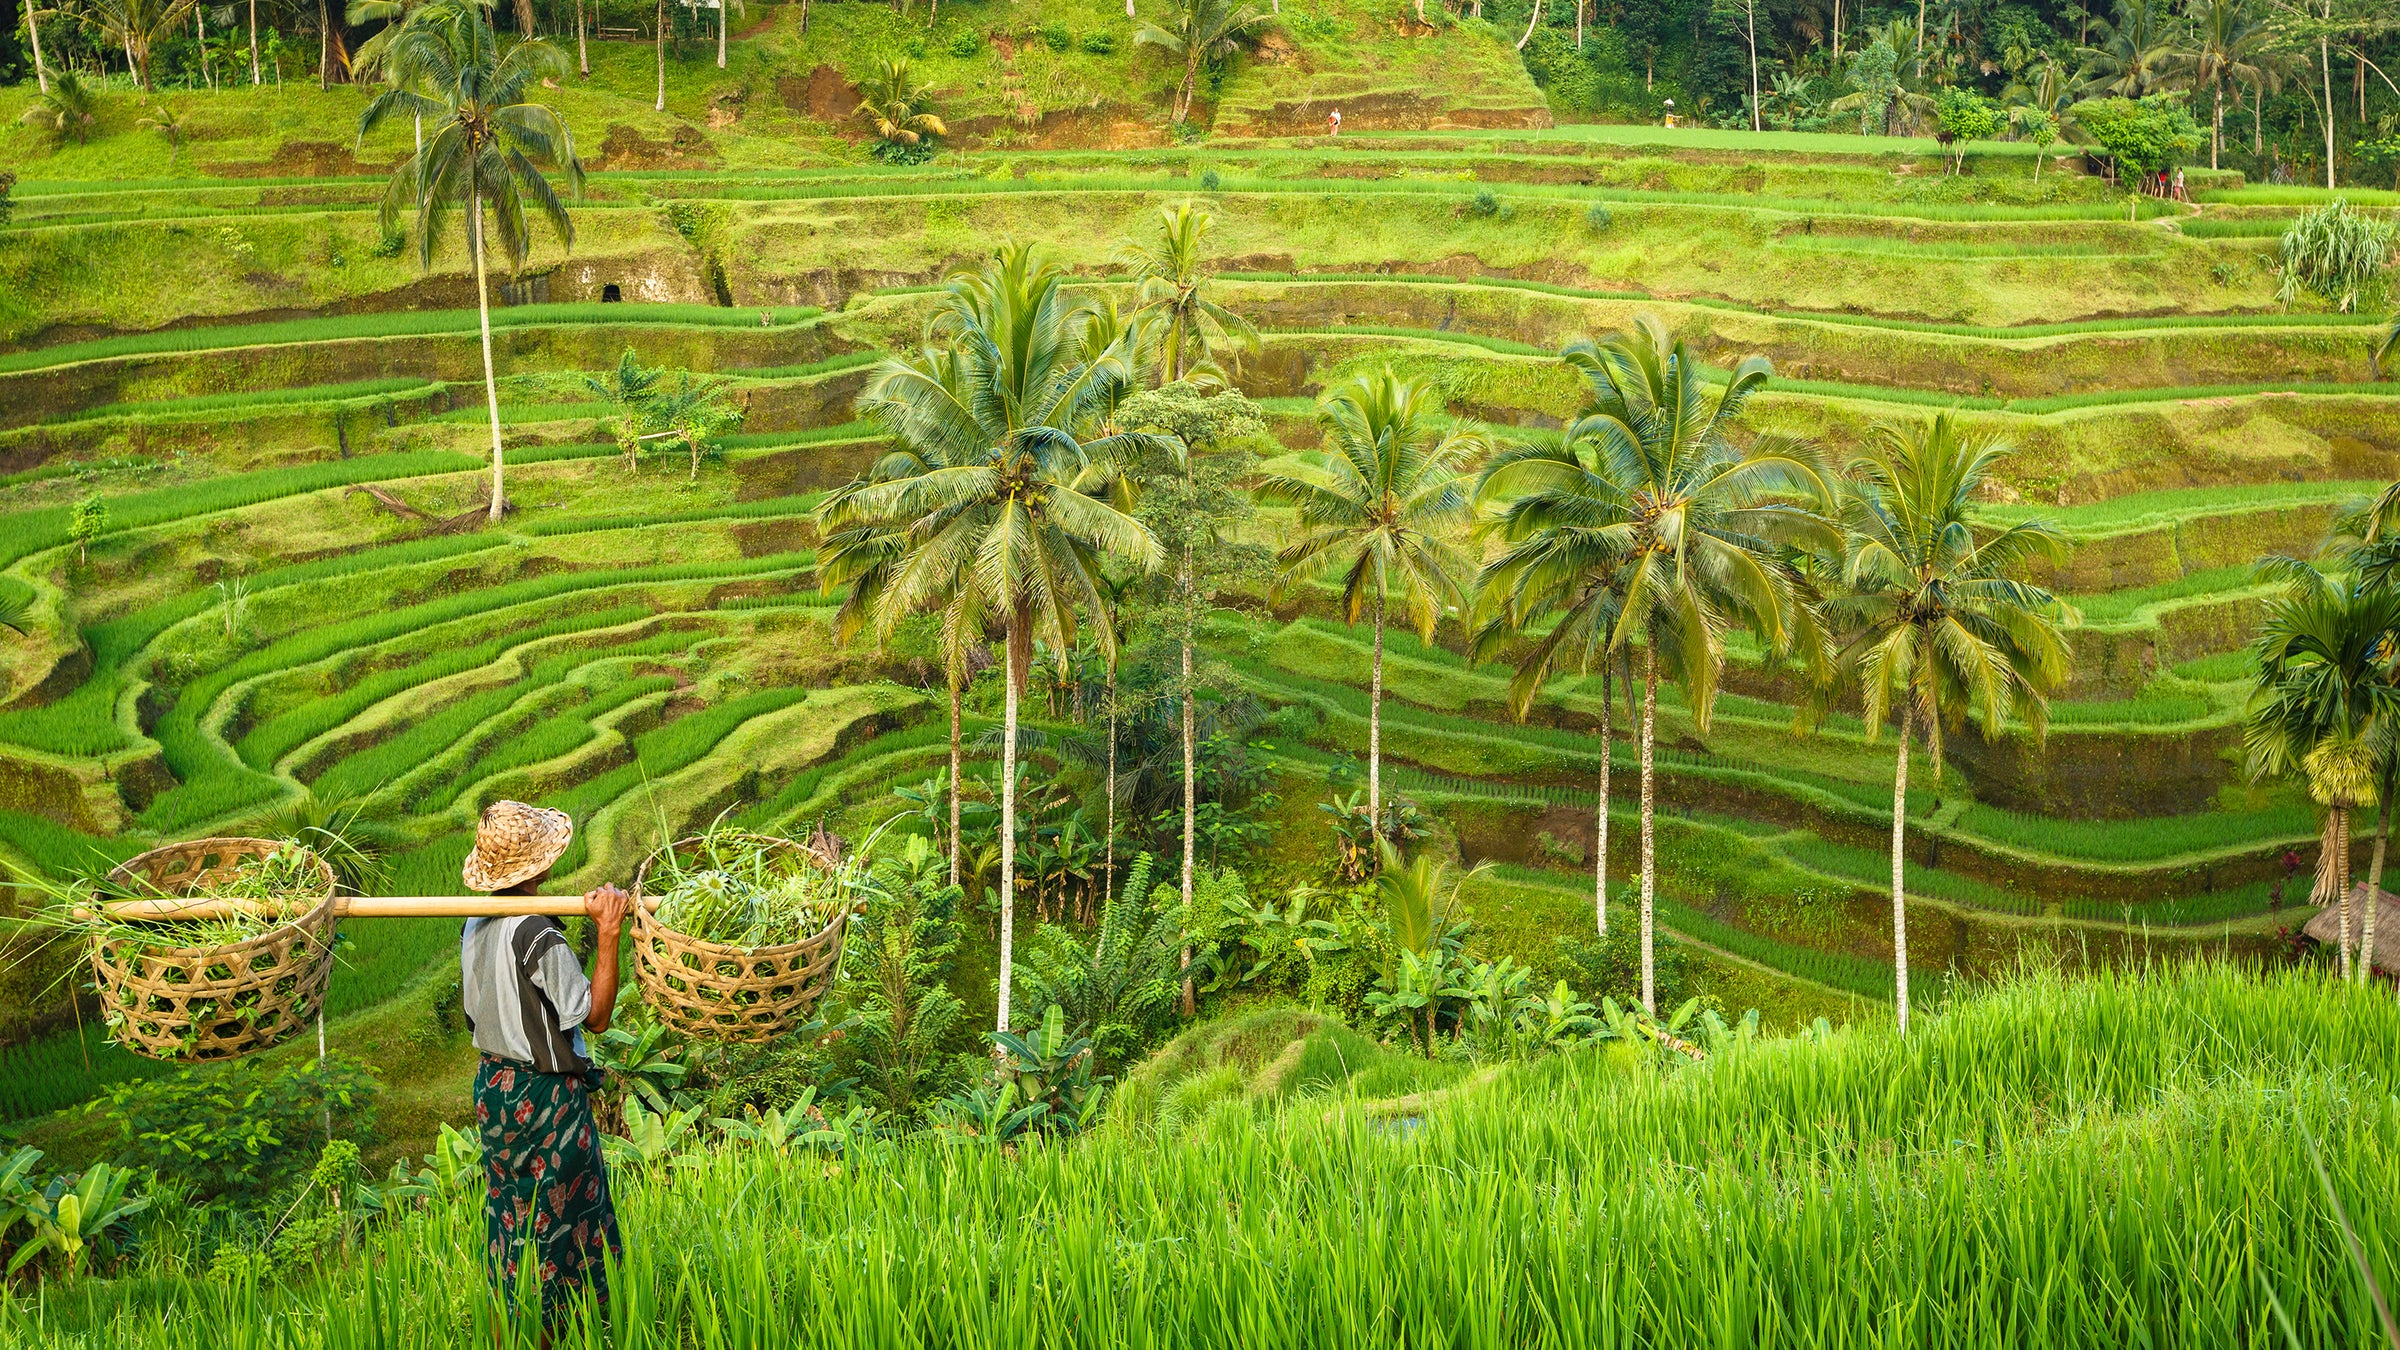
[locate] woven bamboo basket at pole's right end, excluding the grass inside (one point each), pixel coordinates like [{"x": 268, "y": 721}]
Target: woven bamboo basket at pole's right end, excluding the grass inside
[{"x": 712, "y": 991}]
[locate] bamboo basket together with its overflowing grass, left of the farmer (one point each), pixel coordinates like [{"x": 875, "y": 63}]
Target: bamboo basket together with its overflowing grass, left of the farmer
[{"x": 208, "y": 988}]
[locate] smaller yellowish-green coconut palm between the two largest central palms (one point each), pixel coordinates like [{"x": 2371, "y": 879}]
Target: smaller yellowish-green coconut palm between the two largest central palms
[{"x": 1379, "y": 506}]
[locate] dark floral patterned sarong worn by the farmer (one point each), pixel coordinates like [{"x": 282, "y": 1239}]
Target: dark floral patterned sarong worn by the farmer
[{"x": 544, "y": 1183}]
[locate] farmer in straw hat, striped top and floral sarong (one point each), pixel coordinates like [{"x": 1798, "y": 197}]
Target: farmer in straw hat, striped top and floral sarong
[{"x": 529, "y": 1005}]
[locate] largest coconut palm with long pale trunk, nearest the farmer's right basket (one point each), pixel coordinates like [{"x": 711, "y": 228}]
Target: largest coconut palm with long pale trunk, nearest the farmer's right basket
[{"x": 997, "y": 491}]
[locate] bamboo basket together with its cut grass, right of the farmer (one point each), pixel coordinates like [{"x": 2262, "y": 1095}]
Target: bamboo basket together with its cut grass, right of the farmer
[{"x": 748, "y": 931}]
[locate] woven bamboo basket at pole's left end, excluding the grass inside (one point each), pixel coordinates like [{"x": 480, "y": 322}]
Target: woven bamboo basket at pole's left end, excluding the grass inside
[{"x": 212, "y": 1003}]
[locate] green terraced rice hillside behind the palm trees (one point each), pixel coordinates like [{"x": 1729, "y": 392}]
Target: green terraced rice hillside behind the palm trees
[{"x": 292, "y": 599}]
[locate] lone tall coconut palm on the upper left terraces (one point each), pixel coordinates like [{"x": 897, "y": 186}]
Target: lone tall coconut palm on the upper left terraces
[{"x": 486, "y": 153}]
